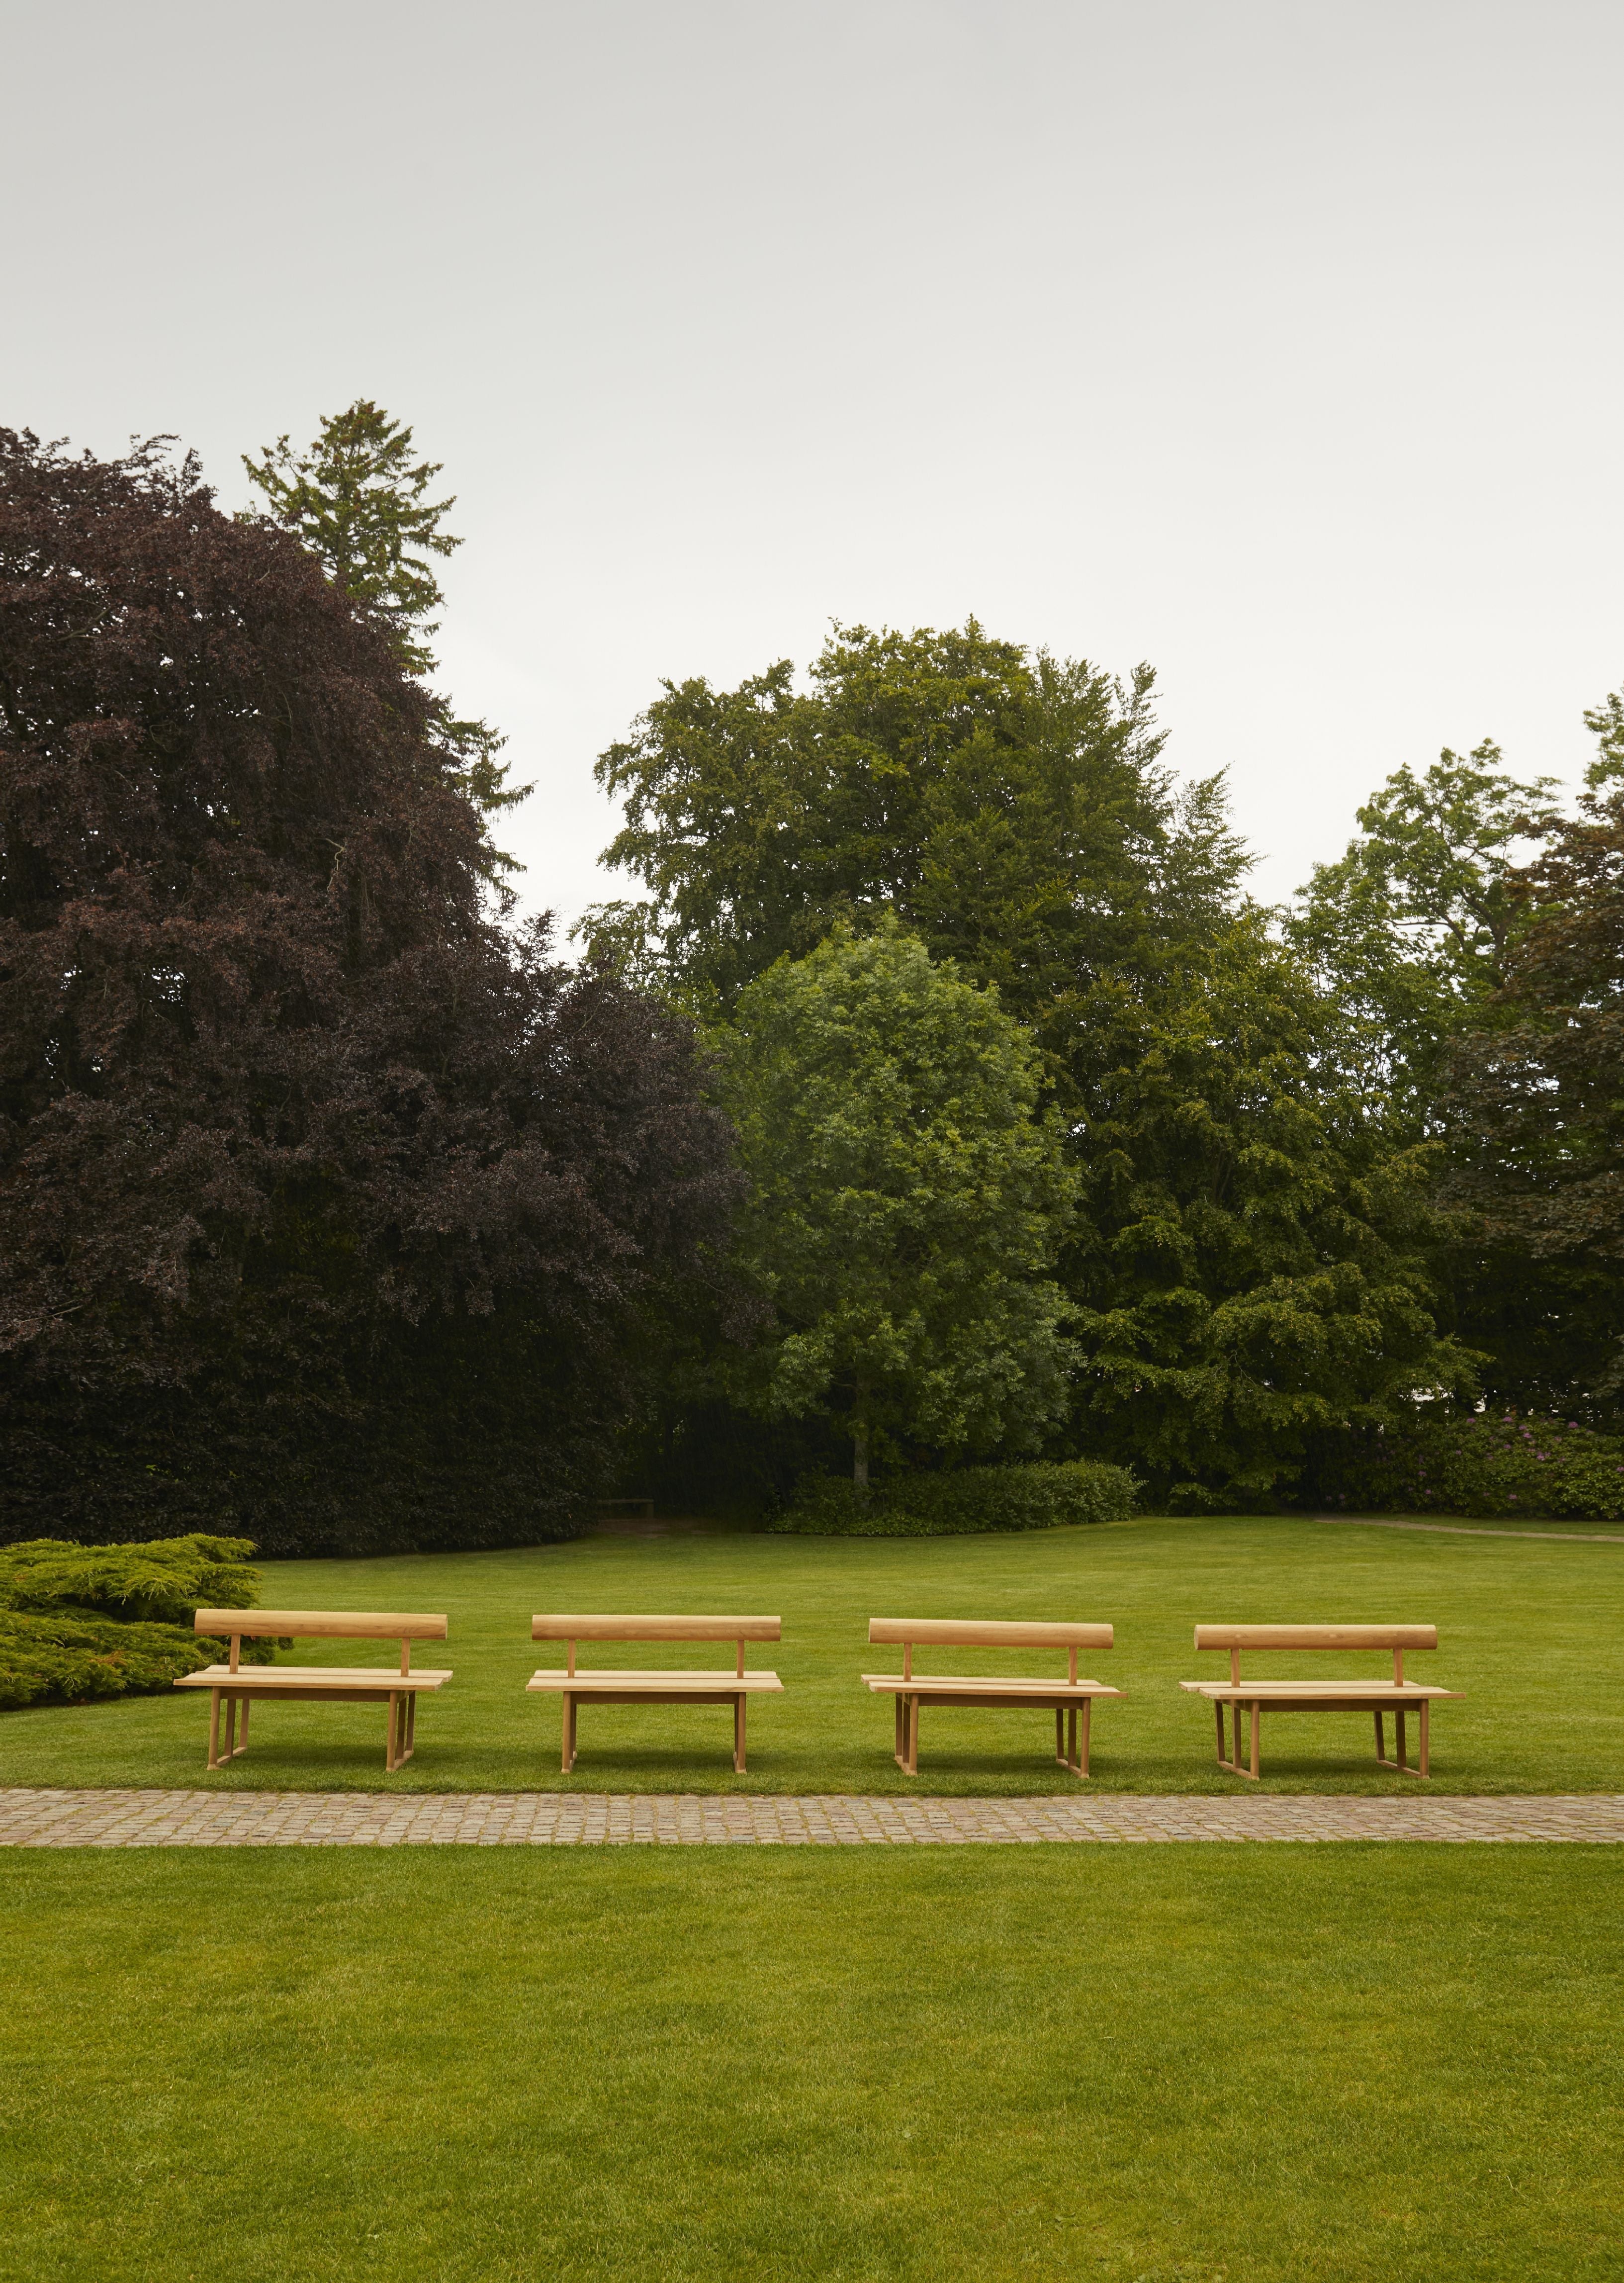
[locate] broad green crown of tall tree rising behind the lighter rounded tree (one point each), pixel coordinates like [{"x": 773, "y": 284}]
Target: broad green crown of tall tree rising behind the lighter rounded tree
[{"x": 1013, "y": 812}]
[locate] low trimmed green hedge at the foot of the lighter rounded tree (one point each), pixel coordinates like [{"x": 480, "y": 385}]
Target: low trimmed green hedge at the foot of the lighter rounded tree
[{"x": 963, "y": 1501}]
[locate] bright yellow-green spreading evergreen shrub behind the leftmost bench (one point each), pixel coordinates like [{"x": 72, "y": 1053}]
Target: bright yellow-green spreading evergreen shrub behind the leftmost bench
[{"x": 93, "y": 1622}]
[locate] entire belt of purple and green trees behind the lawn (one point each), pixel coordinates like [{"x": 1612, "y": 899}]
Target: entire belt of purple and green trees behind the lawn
[{"x": 339, "y": 1211}]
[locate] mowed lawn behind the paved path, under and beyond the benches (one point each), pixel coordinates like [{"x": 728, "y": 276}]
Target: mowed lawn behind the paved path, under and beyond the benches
[{"x": 1531, "y": 1636}]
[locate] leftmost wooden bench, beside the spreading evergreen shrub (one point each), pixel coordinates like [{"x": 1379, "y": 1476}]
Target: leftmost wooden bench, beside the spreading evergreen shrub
[{"x": 316, "y": 1684}]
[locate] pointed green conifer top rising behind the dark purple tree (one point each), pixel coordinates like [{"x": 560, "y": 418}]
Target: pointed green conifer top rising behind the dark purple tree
[{"x": 360, "y": 501}]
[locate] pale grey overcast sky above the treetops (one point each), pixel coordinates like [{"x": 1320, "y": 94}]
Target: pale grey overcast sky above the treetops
[{"x": 1271, "y": 344}]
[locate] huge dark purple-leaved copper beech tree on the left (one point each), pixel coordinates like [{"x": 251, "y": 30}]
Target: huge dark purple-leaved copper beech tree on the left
[{"x": 330, "y": 1207}]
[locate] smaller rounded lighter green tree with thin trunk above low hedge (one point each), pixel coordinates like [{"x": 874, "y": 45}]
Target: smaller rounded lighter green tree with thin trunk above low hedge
[{"x": 908, "y": 1200}]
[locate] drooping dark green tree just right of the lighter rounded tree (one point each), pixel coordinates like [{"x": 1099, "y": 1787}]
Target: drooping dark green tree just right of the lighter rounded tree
[{"x": 1253, "y": 1259}]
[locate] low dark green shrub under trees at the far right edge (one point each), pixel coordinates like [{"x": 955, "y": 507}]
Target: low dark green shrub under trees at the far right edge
[{"x": 1495, "y": 1465}]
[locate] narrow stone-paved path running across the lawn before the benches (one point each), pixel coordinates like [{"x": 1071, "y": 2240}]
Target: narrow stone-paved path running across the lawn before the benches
[{"x": 702, "y": 1821}]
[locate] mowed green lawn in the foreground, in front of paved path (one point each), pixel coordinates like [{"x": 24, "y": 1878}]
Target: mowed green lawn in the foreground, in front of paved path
[{"x": 1260, "y": 2065}]
